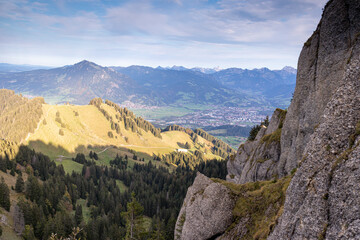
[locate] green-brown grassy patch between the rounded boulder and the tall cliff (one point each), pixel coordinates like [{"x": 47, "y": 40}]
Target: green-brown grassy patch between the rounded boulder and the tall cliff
[{"x": 260, "y": 202}]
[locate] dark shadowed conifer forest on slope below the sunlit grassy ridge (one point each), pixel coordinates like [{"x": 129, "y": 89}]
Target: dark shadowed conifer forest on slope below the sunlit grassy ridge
[{"x": 96, "y": 203}]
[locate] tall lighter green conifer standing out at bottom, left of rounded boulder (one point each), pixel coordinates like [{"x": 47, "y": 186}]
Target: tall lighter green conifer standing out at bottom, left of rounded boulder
[{"x": 134, "y": 219}]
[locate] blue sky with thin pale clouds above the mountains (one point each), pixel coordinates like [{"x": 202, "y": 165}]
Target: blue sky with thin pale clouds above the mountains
[{"x": 203, "y": 33}]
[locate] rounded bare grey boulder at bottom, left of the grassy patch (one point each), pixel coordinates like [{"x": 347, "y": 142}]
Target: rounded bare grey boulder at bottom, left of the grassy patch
[{"x": 206, "y": 211}]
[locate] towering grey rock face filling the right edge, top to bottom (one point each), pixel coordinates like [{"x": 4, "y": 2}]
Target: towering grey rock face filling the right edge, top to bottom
[{"x": 321, "y": 132}]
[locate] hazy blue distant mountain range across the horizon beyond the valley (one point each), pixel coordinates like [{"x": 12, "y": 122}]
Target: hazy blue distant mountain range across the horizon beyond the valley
[{"x": 85, "y": 80}]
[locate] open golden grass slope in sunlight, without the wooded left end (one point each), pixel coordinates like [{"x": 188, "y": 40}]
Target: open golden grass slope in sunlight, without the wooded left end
[{"x": 81, "y": 128}]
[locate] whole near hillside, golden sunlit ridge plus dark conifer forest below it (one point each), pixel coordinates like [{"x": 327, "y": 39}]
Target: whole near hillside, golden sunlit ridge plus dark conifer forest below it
[{"x": 84, "y": 169}]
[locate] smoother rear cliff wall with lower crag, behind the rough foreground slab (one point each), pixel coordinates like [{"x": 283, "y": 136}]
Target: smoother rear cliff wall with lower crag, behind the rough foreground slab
[{"x": 321, "y": 71}]
